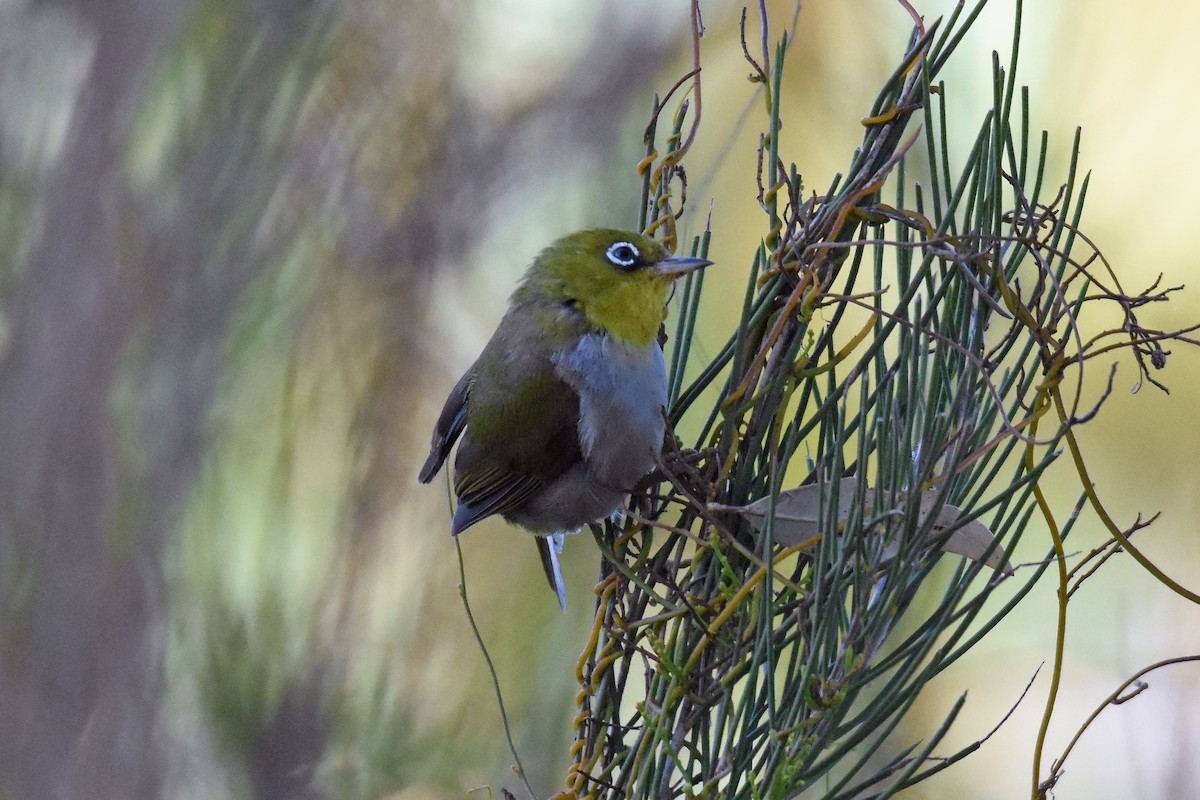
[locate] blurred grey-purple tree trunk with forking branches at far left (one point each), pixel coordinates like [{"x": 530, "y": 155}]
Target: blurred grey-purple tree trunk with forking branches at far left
[{"x": 83, "y": 525}]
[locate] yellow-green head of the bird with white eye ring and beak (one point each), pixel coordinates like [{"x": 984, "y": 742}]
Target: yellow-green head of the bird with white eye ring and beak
[{"x": 617, "y": 279}]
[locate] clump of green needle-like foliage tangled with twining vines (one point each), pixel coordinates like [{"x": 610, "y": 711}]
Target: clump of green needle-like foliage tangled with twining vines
[{"x": 917, "y": 336}]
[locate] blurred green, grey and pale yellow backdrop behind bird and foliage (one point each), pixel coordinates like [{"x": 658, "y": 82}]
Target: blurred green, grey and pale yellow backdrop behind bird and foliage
[{"x": 249, "y": 246}]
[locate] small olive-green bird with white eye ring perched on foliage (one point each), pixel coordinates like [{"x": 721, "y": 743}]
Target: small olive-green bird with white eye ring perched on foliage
[{"x": 563, "y": 412}]
